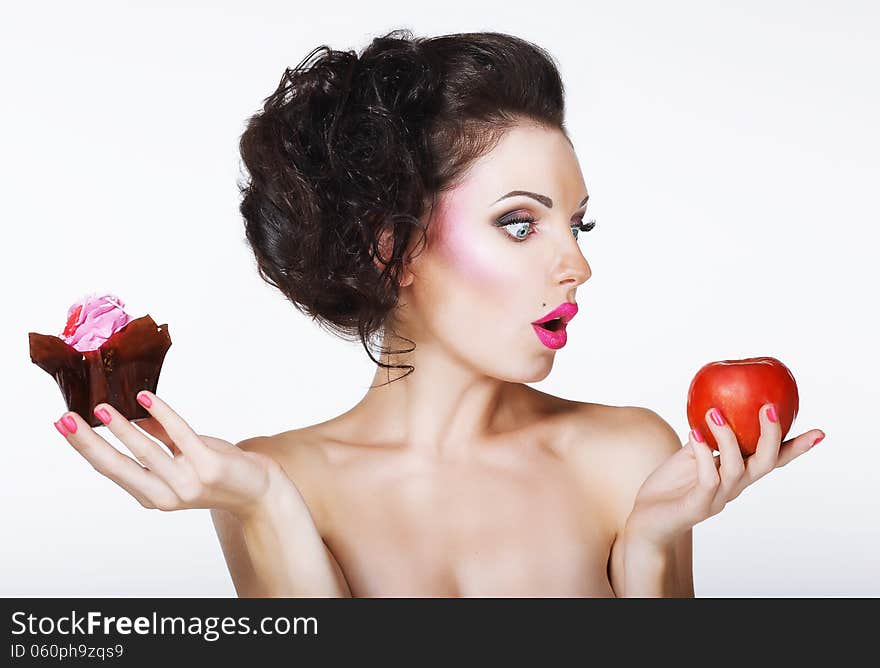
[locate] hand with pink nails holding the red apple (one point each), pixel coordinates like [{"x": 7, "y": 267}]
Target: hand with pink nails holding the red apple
[{"x": 693, "y": 485}]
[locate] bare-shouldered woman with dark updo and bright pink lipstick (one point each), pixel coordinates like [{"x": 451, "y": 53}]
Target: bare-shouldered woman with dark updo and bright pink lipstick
[{"x": 426, "y": 193}]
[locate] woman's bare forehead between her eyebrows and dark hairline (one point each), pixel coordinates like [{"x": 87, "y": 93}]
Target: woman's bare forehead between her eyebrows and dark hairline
[{"x": 527, "y": 157}]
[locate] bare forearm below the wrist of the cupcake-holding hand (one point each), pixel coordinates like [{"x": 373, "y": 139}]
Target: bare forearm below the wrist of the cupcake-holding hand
[{"x": 277, "y": 551}]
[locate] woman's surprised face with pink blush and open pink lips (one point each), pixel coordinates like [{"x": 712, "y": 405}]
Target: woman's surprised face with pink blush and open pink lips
[{"x": 493, "y": 264}]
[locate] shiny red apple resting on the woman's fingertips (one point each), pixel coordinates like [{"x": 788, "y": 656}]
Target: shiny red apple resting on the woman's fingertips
[{"x": 738, "y": 388}]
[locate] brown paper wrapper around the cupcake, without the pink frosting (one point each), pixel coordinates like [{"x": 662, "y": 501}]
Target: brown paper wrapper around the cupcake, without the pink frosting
[{"x": 126, "y": 363}]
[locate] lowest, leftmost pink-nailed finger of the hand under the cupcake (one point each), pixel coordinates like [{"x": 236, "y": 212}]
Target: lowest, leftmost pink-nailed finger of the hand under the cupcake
[{"x": 144, "y": 485}]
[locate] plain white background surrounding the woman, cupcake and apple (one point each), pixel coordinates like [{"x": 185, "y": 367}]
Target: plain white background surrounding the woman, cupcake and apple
[{"x": 731, "y": 158}]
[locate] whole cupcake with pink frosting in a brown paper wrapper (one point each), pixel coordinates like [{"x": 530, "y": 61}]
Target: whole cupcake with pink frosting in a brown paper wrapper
[{"x": 103, "y": 355}]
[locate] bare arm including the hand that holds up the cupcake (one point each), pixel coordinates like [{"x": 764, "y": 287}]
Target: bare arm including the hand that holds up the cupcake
[{"x": 270, "y": 542}]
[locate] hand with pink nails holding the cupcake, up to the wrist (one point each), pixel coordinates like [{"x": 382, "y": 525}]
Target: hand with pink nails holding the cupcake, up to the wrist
[{"x": 198, "y": 472}]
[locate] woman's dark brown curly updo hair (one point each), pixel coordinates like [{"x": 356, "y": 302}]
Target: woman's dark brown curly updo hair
[{"x": 350, "y": 146}]
